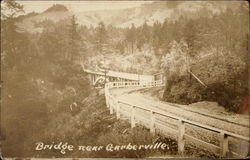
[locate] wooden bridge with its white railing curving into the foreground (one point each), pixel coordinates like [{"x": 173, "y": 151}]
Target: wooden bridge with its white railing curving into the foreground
[{"x": 160, "y": 121}]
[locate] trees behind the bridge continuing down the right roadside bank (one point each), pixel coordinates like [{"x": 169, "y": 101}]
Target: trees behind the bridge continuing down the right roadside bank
[{"x": 212, "y": 47}]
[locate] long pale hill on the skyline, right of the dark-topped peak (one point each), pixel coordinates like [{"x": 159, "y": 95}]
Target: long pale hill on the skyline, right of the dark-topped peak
[{"x": 155, "y": 11}]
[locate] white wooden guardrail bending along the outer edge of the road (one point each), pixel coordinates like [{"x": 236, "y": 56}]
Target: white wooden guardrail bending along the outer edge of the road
[{"x": 154, "y": 124}]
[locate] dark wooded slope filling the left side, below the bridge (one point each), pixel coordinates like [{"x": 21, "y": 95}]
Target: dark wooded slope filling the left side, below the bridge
[{"x": 46, "y": 97}]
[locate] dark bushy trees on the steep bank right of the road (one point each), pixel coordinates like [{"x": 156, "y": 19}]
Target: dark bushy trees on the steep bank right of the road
[{"x": 215, "y": 52}]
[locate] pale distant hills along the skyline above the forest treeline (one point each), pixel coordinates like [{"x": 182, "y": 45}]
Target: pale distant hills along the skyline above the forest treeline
[{"x": 150, "y": 13}]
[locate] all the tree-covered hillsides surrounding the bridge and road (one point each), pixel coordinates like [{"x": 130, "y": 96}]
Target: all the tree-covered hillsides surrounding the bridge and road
[{"x": 42, "y": 76}]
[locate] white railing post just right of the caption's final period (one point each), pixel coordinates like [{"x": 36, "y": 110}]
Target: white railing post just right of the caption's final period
[{"x": 181, "y": 143}]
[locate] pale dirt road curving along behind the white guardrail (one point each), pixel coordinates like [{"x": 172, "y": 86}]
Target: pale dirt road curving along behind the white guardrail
[{"x": 227, "y": 121}]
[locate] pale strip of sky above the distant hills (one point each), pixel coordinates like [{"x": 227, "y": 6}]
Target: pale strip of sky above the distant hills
[{"x": 80, "y": 6}]
